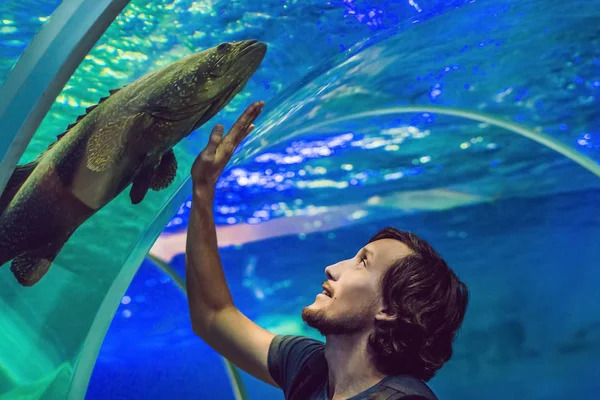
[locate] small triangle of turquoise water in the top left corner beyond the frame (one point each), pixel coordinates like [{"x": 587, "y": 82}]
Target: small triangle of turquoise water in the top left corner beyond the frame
[{"x": 20, "y": 21}]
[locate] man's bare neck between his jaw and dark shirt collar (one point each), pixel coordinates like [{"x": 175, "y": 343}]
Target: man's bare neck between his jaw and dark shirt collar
[{"x": 351, "y": 370}]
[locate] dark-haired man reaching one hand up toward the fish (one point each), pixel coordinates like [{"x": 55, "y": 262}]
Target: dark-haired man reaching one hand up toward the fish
[{"x": 389, "y": 314}]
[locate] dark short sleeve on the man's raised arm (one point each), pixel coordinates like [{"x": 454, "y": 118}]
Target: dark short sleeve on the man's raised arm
[{"x": 287, "y": 356}]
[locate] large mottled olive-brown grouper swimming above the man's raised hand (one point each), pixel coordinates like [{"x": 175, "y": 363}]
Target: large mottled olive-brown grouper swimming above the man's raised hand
[{"x": 127, "y": 138}]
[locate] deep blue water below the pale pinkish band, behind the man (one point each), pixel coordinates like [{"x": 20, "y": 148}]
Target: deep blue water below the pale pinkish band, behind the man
[{"x": 532, "y": 330}]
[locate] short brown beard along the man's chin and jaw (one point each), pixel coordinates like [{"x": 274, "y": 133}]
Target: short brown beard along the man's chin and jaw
[{"x": 343, "y": 325}]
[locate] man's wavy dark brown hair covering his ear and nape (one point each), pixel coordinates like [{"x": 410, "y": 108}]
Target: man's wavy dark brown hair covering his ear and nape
[{"x": 429, "y": 302}]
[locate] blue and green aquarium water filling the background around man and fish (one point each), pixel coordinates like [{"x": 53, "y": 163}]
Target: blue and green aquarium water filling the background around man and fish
[{"x": 474, "y": 124}]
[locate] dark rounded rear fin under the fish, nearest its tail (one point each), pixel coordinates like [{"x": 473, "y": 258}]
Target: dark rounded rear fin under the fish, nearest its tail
[{"x": 31, "y": 266}]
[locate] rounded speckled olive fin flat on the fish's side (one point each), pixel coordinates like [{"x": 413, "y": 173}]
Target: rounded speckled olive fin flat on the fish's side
[{"x": 105, "y": 148}]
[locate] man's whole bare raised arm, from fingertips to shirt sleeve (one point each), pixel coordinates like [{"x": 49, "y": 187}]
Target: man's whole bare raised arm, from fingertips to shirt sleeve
[{"x": 213, "y": 315}]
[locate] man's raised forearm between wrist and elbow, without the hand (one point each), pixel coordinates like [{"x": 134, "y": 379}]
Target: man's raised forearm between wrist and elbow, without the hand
[{"x": 208, "y": 292}]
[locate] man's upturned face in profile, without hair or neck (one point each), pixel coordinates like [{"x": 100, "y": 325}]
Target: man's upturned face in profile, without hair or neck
[{"x": 353, "y": 297}]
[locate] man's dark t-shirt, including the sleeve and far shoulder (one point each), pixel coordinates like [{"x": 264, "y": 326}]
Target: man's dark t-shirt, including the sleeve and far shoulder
[{"x": 298, "y": 365}]
